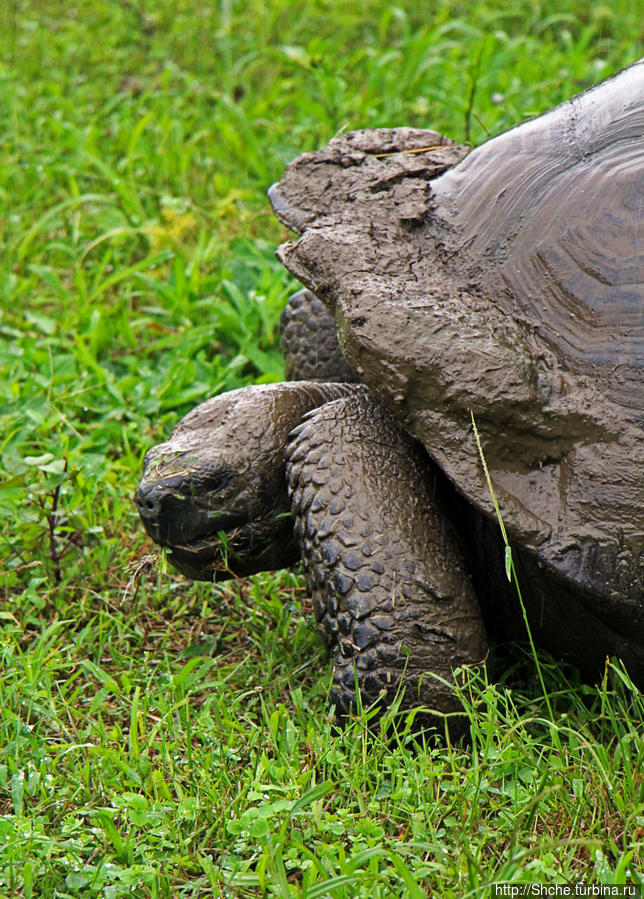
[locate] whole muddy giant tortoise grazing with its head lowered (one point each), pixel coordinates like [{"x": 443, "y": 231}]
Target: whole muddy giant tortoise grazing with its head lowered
[{"x": 503, "y": 286}]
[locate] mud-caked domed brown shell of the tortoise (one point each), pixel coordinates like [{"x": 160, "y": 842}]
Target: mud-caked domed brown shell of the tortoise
[{"x": 507, "y": 286}]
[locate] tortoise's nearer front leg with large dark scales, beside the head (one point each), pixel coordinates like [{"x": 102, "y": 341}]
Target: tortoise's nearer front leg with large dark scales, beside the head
[{"x": 390, "y": 588}]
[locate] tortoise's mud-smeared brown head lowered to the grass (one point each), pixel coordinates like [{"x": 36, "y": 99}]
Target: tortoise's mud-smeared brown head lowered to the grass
[{"x": 215, "y": 493}]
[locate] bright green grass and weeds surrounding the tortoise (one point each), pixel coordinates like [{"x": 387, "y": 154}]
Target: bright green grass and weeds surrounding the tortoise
[{"x": 166, "y": 739}]
